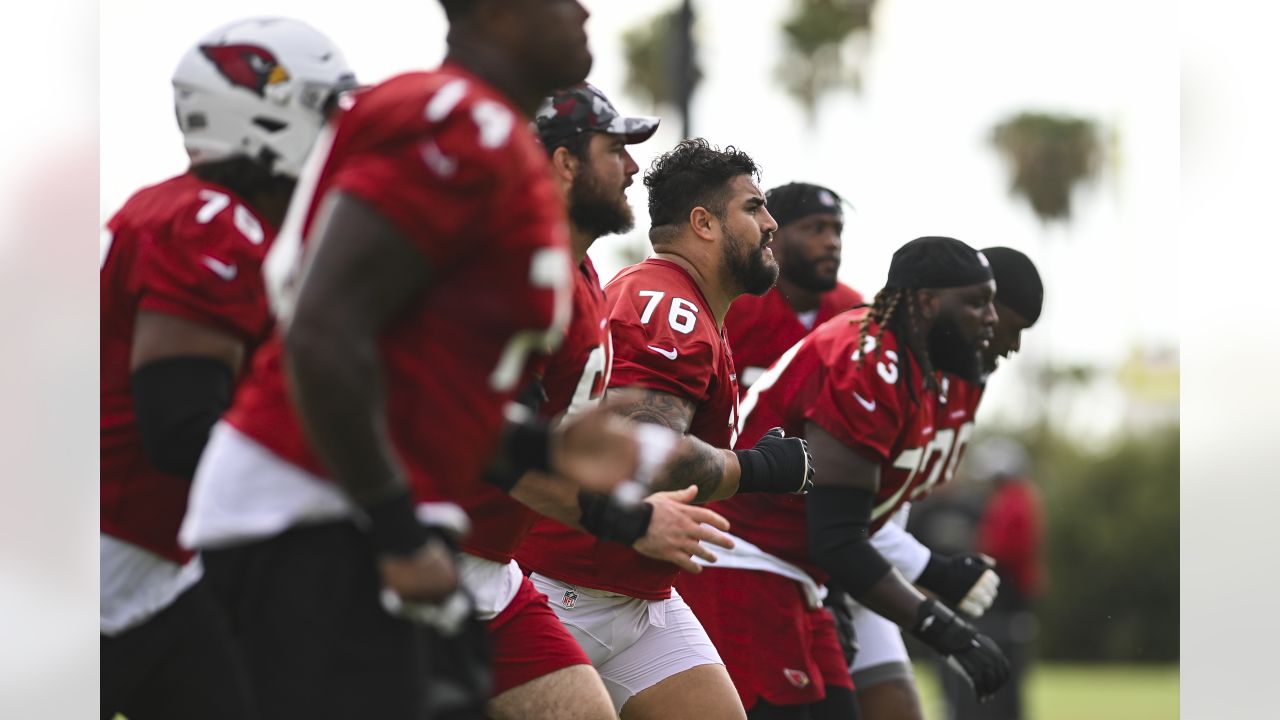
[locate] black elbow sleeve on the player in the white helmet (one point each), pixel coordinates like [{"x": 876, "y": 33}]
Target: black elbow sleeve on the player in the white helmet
[{"x": 177, "y": 402}]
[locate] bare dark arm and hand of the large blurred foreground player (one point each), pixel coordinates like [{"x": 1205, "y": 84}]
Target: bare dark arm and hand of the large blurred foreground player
[{"x": 362, "y": 274}]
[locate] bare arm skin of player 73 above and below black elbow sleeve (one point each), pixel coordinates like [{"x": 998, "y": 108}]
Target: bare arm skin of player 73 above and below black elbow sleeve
[{"x": 893, "y": 596}]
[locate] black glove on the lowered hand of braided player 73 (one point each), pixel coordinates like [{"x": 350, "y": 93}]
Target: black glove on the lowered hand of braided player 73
[{"x": 979, "y": 660}]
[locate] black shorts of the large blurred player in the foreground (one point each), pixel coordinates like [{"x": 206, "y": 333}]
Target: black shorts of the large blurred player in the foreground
[{"x": 304, "y": 608}]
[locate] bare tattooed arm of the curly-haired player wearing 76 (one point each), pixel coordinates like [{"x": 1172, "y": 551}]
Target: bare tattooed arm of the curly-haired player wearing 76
[{"x": 694, "y": 463}]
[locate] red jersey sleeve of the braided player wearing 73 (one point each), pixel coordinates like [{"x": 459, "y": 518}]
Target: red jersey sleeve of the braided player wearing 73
[{"x": 862, "y": 405}]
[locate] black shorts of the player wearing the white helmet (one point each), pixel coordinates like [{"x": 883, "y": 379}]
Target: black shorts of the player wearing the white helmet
[{"x": 181, "y": 663}]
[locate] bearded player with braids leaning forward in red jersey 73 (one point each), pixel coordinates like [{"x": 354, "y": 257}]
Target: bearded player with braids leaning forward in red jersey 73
[{"x": 865, "y": 388}]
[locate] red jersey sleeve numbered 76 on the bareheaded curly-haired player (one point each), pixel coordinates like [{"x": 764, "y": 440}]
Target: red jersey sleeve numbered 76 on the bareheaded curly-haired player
[{"x": 653, "y": 349}]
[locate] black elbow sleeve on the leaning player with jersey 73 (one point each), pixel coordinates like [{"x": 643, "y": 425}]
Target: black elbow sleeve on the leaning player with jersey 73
[{"x": 840, "y": 540}]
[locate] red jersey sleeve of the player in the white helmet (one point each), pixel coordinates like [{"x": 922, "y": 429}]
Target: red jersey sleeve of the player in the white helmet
[{"x": 208, "y": 266}]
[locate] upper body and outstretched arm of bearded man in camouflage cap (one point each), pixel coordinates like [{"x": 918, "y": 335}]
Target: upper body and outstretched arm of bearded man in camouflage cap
[{"x": 587, "y": 140}]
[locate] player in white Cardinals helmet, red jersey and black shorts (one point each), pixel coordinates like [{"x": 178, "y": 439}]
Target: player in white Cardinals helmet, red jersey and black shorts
[{"x": 182, "y": 309}]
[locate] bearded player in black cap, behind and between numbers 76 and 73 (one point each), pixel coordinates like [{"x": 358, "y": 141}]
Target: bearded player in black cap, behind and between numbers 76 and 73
[{"x": 807, "y": 247}]
